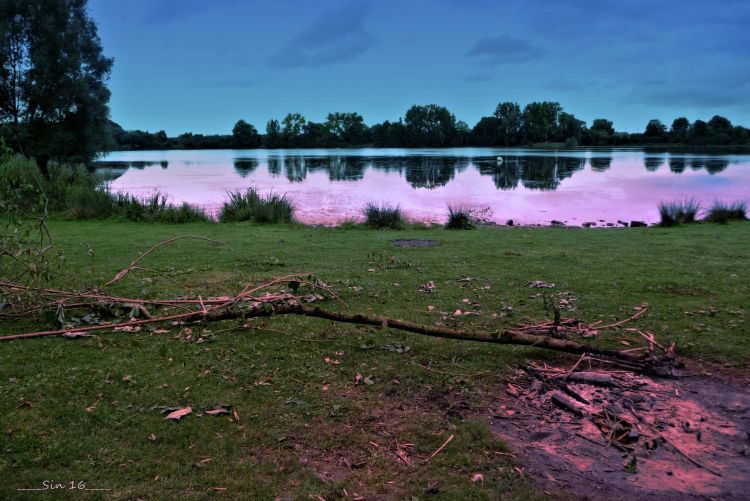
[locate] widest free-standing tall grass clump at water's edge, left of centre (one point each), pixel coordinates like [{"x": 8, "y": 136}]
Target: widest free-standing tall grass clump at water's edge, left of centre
[{"x": 251, "y": 206}]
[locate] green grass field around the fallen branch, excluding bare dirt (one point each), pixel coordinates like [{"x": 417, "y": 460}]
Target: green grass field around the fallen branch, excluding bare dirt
[{"x": 81, "y": 410}]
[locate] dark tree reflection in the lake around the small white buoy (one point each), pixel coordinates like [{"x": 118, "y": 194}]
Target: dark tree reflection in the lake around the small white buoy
[{"x": 536, "y": 173}]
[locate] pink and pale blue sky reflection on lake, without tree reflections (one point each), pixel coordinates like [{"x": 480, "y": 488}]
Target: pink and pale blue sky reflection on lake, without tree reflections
[{"x": 626, "y": 191}]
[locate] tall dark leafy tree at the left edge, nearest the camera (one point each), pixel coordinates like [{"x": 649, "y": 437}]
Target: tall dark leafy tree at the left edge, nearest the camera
[{"x": 53, "y": 93}]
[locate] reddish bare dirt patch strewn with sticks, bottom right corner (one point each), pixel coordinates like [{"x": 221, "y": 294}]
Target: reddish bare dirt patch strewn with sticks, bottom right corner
[{"x": 635, "y": 438}]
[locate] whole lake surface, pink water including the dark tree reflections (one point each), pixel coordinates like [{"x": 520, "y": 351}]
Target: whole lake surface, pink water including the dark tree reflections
[{"x": 529, "y": 186}]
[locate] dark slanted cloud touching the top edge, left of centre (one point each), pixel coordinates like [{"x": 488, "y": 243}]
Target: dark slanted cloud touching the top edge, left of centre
[{"x": 333, "y": 37}]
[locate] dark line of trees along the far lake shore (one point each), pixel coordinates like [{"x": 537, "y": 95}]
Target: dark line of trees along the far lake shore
[{"x": 435, "y": 126}]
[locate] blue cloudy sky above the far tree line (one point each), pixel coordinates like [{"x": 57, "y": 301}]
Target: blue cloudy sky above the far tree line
[{"x": 201, "y": 65}]
